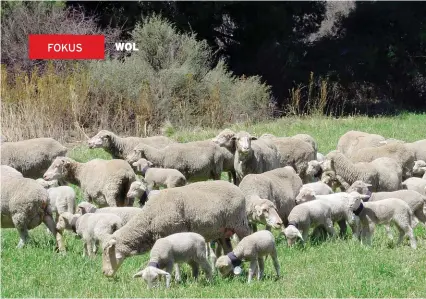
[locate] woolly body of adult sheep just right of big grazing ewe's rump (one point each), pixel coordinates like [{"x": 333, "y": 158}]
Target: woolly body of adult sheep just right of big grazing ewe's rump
[{"x": 280, "y": 186}]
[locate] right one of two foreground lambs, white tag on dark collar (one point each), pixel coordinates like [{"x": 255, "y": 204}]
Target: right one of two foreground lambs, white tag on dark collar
[{"x": 251, "y": 248}]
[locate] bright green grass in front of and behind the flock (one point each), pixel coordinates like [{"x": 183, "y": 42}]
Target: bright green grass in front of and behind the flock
[{"x": 334, "y": 268}]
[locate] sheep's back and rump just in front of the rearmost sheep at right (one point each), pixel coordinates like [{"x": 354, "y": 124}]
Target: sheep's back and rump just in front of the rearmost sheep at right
[{"x": 397, "y": 151}]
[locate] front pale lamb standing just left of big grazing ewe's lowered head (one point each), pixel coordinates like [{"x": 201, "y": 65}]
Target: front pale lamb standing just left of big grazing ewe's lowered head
[{"x": 92, "y": 228}]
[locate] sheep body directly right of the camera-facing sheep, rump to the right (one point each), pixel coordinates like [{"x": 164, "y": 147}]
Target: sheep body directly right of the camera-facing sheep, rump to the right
[{"x": 294, "y": 152}]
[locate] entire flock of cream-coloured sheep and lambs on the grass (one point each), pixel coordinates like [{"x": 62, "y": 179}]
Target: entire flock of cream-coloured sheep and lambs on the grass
[{"x": 281, "y": 182}]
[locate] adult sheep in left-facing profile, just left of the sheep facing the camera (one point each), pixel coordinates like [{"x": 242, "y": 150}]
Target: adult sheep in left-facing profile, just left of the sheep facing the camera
[{"x": 199, "y": 160}]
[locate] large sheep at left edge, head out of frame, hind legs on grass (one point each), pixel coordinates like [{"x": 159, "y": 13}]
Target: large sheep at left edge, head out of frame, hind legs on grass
[{"x": 24, "y": 205}]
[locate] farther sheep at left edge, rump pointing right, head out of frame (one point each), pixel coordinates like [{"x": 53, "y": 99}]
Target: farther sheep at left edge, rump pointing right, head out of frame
[{"x": 31, "y": 157}]
